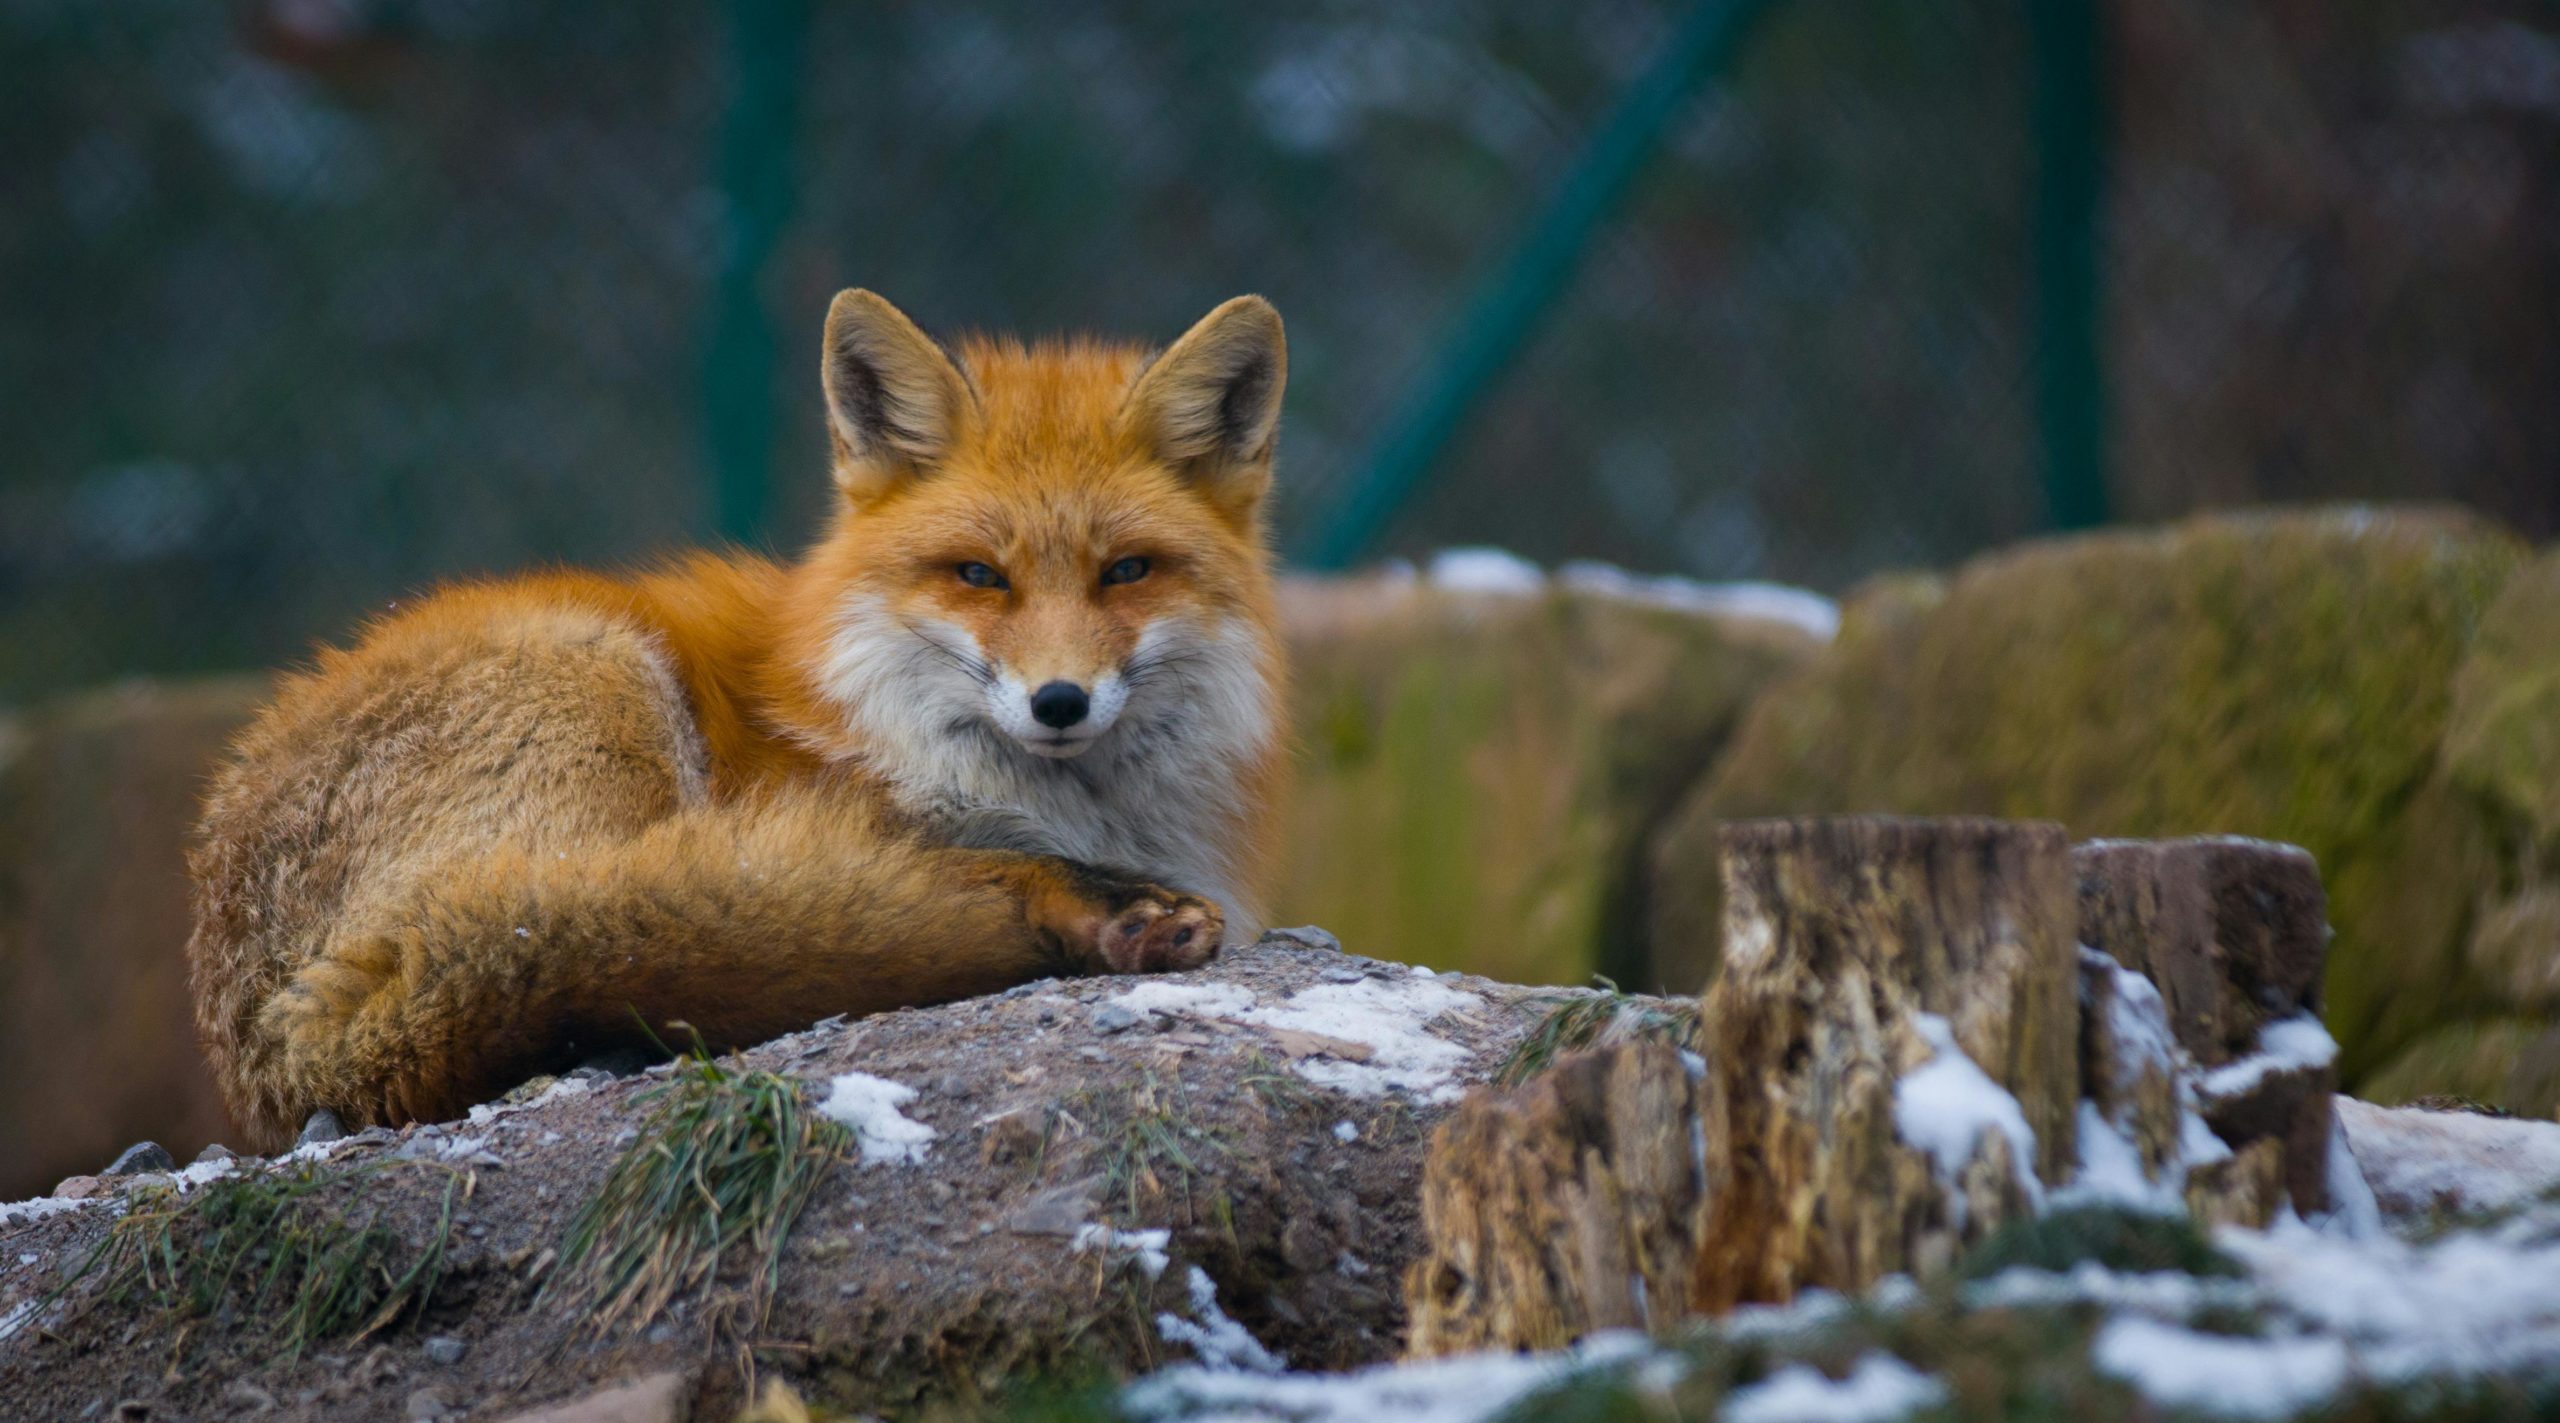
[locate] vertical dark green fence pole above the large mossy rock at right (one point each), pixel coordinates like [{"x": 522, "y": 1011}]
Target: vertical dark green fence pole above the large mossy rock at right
[{"x": 2067, "y": 104}]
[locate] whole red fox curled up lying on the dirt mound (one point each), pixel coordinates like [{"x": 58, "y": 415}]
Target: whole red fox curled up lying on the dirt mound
[{"x": 1018, "y": 713}]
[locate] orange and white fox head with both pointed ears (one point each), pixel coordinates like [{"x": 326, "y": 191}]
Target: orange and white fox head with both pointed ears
[{"x": 1043, "y": 554}]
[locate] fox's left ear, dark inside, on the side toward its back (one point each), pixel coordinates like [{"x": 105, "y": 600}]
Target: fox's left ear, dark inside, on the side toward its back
[{"x": 895, "y": 401}]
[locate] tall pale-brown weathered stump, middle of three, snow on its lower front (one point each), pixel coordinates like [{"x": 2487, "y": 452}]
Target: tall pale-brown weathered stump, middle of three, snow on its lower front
[{"x": 1860, "y": 953}]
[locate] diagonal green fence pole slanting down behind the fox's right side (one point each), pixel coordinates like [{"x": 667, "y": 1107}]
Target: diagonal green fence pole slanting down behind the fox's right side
[{"x": 1512, "y": 301}]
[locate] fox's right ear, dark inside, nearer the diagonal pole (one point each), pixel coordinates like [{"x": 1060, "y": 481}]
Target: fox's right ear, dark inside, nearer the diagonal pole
[{"x": 1210, "y": 406}]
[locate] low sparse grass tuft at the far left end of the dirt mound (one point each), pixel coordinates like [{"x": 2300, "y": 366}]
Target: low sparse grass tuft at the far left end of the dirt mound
[{"x": 298, "y": 1248}]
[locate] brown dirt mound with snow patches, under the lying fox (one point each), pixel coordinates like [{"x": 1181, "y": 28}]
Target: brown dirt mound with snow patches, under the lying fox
[{"x": 1268, "y": 1112}]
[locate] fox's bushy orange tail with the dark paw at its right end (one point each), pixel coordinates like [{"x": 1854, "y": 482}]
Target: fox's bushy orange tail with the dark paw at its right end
[{"x": 736, "y": 923}]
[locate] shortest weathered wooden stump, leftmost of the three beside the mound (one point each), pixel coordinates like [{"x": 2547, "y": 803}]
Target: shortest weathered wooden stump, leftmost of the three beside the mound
[{"x": 1560, "y": 1207}]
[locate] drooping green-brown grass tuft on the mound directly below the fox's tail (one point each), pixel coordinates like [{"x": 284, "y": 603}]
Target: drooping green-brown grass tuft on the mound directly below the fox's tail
[{"x": 726, "y": 1163}]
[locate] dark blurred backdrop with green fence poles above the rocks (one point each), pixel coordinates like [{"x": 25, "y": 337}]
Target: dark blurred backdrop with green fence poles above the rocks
[{"x": 314, "y": 301}]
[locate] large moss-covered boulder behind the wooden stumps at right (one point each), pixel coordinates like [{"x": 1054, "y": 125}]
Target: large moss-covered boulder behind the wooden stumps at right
[{"x": 2285, "y": 677}]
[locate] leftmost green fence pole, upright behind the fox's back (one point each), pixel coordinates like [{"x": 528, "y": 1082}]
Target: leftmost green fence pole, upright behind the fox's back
[{"x": 756, "y": 170}]
